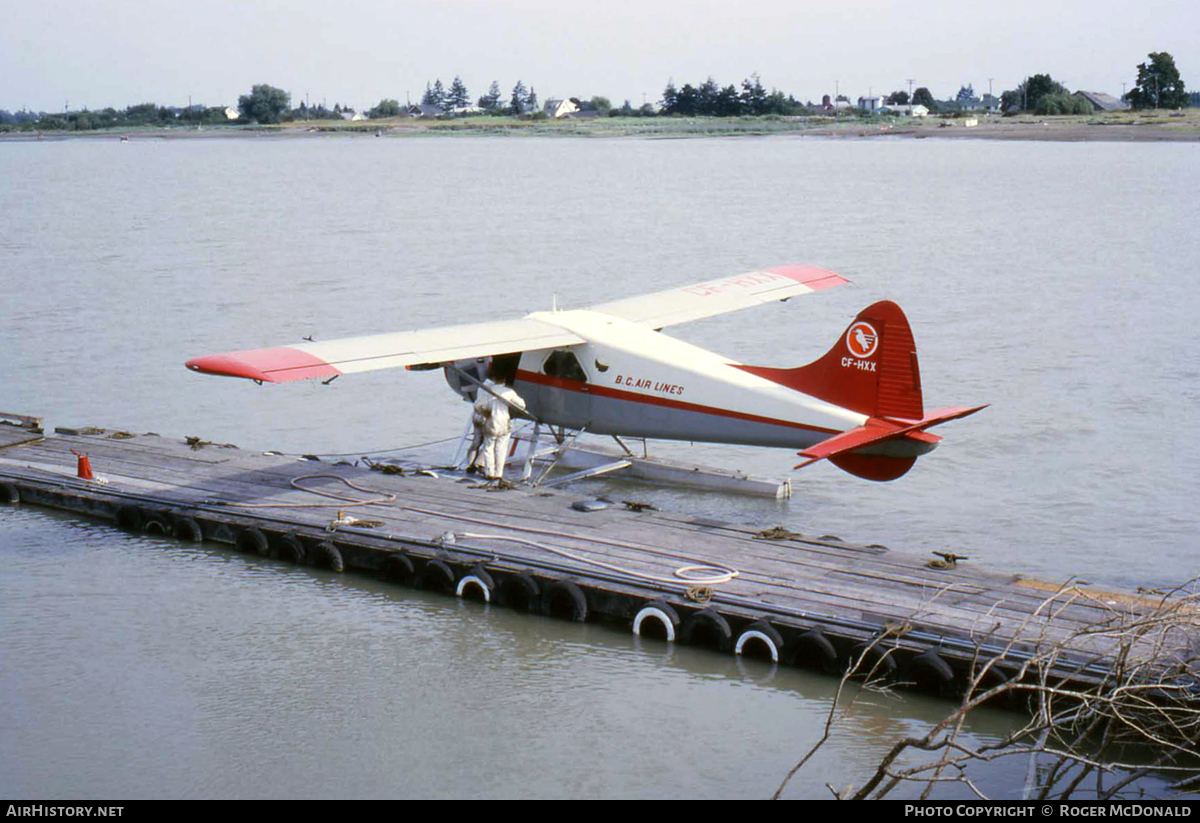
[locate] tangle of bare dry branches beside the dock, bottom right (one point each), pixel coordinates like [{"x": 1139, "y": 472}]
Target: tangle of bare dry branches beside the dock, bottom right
[{"x": 1125, "y": 684}]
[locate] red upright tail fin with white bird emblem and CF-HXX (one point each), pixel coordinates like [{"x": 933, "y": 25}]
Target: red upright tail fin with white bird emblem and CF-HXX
[{"x": 872, "y": 369}]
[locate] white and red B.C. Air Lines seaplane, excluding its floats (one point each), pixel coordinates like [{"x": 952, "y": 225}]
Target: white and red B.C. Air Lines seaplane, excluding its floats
[{"x": 610, "y": 370}]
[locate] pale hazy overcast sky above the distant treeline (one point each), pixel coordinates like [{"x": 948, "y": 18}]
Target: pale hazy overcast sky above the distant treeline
[{"x": 99, "y": 53}]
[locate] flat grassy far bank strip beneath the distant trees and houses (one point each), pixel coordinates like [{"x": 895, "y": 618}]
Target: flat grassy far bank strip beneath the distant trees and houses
[{"x": 1118, "y": 128}]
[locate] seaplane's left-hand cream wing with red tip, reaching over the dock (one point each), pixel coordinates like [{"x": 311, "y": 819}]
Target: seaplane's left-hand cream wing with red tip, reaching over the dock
[{"x": 328, "y": 359}]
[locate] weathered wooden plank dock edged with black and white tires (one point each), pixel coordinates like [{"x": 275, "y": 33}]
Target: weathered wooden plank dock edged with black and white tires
[{"x": 807, "y": 600}]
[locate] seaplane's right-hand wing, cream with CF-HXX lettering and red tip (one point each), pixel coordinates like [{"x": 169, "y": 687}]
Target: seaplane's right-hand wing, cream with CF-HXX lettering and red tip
[{"x": 717, "y": 297}]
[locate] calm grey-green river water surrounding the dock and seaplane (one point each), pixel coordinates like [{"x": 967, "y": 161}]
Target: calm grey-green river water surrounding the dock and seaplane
[{"x": 1057, "y": 283}]
